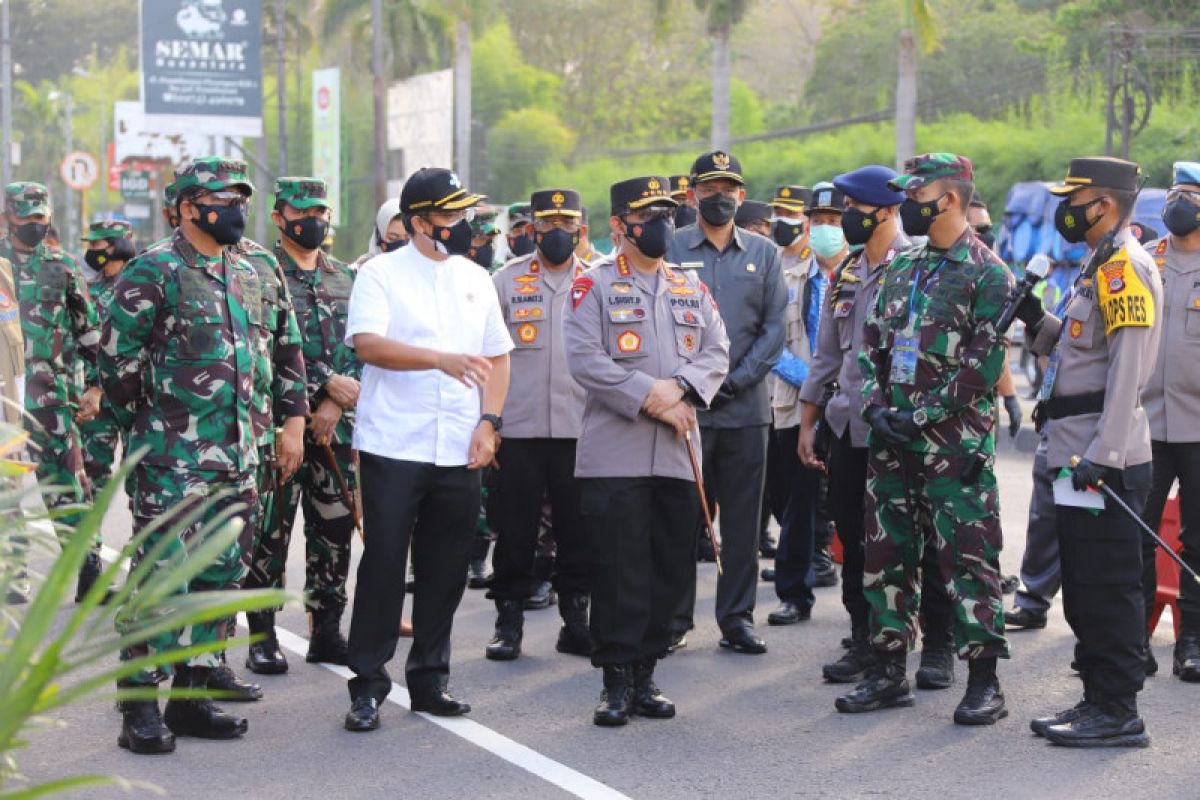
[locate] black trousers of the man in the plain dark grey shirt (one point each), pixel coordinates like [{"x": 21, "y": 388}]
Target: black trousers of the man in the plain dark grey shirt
[{"x": 735, "y": 471}]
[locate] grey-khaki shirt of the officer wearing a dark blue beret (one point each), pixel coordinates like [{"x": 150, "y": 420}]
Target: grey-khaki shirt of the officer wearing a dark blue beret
[{"x": 850, "y": 300}]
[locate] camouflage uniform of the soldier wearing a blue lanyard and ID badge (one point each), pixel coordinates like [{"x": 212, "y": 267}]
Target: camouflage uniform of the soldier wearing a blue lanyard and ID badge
[{"x": 959, "y": 358}]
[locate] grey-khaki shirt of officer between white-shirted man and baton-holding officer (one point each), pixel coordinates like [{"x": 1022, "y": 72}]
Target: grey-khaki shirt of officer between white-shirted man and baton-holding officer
[{"x": 544, "y": 401}]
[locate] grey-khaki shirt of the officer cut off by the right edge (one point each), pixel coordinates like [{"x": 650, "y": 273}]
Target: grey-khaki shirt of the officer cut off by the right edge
[{"x": 1172, "y": 398}]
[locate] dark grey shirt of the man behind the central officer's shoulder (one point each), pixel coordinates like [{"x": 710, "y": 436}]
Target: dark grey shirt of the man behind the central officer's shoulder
[{"x": 748, "y": 285}]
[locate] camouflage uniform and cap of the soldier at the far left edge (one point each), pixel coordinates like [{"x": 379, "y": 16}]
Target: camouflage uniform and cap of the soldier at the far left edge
[{"x": 59, "y": 326}]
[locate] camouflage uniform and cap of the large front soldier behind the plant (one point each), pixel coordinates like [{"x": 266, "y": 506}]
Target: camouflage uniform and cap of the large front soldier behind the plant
[{"x": 178, "y": 363}]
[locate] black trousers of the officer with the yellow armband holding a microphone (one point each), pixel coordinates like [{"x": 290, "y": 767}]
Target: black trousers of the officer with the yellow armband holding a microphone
[{"x": 1102, "y": 596}]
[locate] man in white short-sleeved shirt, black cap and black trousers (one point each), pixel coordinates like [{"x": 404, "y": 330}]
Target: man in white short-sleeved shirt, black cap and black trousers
[{"x": 427, "y": 323}]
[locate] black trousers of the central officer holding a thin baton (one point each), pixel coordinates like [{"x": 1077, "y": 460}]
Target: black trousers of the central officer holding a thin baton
[{"x": 641, "y": 536}]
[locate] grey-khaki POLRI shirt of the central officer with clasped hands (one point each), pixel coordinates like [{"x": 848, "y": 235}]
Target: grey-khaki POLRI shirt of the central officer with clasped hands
[{"x": 625, "y": 330}]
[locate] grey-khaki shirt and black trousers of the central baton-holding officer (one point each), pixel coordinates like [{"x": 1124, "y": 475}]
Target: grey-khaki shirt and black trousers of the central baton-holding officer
[{"x": 623, "y": 332}]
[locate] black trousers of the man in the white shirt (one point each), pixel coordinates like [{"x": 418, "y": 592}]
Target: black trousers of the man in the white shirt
[{"x": 434, "y": 509}]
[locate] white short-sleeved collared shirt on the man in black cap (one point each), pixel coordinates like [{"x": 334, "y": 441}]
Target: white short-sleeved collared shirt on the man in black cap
[{"x": 425, "y": 416}]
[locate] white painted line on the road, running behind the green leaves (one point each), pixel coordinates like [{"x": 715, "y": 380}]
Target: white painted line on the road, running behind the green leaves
[{"x": 514, "y": 753}]
